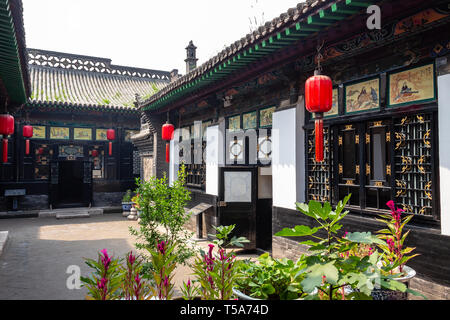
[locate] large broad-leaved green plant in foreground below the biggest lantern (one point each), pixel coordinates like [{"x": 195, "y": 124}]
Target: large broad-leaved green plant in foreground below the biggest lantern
[{"x": 327, "y": 268}]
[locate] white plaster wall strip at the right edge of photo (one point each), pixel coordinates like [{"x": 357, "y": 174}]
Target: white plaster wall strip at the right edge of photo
[{"x": 444, "y": 154}]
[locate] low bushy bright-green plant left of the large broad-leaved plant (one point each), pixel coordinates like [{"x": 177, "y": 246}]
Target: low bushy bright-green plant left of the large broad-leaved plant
[{"x": 275, "y": 279}]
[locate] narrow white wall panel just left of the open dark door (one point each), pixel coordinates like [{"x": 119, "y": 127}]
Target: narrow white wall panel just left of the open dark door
[{"x": 212, "y": 160}]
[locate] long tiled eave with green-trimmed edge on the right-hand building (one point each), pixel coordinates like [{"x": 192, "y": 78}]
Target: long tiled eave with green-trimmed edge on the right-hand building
[{"x": 297, "y": 24}]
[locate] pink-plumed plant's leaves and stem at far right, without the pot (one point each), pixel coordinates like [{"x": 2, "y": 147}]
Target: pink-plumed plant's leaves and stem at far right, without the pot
[{"x": 395, "y": 253}]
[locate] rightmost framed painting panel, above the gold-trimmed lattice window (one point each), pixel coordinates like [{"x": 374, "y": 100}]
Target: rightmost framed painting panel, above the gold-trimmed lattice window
[{"x": 412, "y": 86}]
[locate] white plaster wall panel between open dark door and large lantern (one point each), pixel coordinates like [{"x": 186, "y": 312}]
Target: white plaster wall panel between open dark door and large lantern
[{"x": 284, "y": 175}]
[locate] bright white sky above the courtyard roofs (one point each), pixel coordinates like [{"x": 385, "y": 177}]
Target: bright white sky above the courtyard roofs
[{"x": 144, "y": 33}]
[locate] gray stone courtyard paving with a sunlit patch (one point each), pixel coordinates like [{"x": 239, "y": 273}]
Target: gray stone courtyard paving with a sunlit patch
[{"x": 38, "y": 252}]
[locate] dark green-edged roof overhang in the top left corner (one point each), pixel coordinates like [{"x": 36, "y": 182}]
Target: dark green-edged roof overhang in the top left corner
[{"x": 13, "y": 58}]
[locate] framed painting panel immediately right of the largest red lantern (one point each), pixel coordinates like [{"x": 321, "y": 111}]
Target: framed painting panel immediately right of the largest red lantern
[{"x": 362, "y": 96}]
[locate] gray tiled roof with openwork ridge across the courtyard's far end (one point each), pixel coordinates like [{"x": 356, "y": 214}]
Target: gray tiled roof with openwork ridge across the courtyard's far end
[{"x": 67, "y": 79}]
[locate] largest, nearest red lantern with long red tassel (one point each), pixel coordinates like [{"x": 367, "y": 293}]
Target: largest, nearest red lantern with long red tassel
[{"x": 318, "y": 100}]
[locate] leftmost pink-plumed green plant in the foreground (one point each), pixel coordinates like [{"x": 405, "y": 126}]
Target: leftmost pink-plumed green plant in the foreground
[{"x": 106, "y": 280}]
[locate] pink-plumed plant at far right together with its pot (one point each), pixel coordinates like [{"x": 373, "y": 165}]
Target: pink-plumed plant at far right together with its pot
[{"x": 395, "y": 253}]
